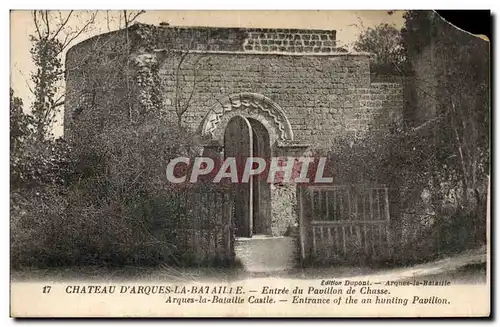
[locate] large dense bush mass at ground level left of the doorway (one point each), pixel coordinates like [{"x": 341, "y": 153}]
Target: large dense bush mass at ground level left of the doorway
[{"x": 115, "y": 207}]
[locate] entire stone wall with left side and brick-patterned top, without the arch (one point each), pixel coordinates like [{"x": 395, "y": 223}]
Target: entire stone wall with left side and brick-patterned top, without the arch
[{"x": 323, "y": 95}]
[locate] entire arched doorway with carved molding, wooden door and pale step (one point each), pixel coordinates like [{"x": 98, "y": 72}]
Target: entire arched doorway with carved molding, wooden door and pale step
[{"x": 245, "y": 125}]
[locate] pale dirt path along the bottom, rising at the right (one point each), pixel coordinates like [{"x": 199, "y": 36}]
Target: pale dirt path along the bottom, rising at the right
[{"x": 468, "y": 267}]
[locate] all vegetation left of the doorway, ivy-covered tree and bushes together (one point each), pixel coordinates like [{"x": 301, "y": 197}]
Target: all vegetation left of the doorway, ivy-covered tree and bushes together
[{"x": 102, "y": 199}]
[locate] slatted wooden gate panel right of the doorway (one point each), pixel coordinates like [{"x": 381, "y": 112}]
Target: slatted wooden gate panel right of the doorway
[{"x": 344, "y": 223}]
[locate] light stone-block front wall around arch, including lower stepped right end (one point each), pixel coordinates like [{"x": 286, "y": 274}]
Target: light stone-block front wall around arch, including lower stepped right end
[{"x": 322, "y": 96}]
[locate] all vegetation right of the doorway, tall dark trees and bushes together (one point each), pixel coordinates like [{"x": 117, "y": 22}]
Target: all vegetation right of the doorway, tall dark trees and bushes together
[{"x": 436, "y": 162}]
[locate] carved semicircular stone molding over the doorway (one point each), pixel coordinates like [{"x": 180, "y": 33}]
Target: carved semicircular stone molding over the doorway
[{"x": 251, "y": 105}]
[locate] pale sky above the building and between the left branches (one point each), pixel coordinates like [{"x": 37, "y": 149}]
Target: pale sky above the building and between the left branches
[{"x": 348, "y": 24}]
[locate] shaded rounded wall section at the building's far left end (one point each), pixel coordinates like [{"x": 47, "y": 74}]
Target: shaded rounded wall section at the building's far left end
[{"x": 98, "y": 87}]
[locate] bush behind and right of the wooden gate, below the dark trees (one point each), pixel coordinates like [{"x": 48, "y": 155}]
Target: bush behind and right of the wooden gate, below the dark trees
[{"x": 425, "y": 226}]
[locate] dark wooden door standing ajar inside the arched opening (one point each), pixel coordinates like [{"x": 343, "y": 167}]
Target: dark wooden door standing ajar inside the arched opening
[{"x": 244, "y": 138}]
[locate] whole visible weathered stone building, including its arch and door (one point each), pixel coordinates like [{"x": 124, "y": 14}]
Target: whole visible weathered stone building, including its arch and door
[{"x": 246, "y": 92}]
